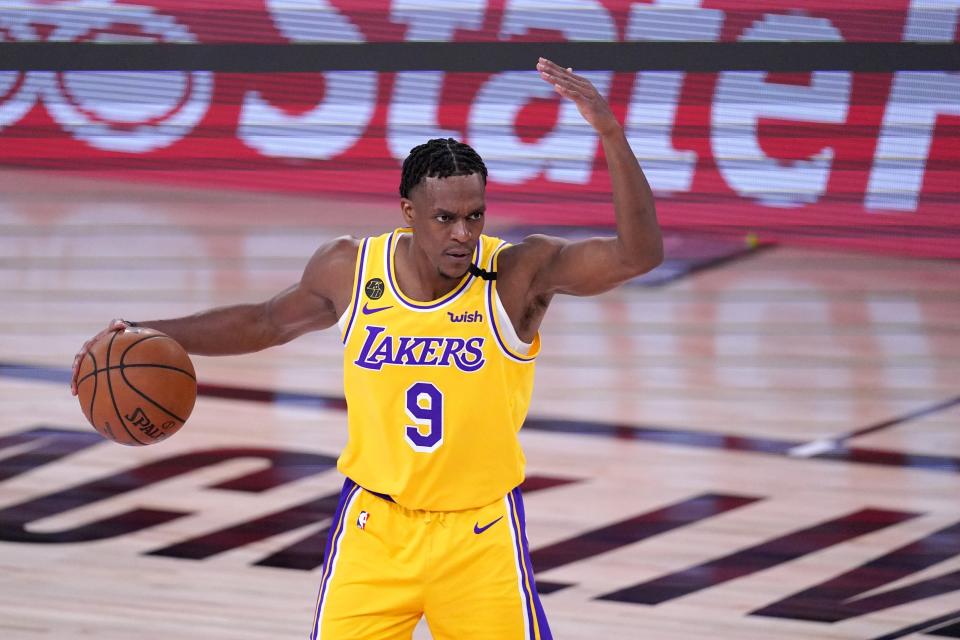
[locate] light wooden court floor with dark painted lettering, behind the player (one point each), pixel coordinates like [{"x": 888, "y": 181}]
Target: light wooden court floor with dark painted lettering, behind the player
[{"x": 765, "y": 449}]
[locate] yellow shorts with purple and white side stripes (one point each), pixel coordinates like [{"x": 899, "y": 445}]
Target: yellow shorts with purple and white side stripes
[{"x": 468, "y": 572}]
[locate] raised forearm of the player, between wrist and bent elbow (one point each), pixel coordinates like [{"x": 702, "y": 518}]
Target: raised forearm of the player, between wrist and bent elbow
[{"x": 638, "y": 232}]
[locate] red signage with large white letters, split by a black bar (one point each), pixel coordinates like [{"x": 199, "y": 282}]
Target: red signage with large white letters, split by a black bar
[{"x": 857, "y": 160}]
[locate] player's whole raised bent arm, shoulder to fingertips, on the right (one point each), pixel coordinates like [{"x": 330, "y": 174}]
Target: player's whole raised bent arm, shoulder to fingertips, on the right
[{"x": 596, "y": 265}]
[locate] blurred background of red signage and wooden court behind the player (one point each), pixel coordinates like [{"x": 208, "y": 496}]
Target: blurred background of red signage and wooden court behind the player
[{"x": 795, "y": 360}]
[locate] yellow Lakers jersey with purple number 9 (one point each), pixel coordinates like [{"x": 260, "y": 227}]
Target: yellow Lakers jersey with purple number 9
[{"x": 436, "y": 391}]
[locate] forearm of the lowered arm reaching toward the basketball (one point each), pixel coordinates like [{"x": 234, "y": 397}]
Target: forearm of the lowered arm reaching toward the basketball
[{"x": 222, "y": 331}]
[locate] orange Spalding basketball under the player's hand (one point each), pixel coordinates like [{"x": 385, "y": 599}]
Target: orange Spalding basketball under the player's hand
[{"x": 136, "y": 386}]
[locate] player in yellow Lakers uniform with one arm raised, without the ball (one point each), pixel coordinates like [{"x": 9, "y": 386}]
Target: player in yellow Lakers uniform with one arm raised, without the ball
[{"x": 440, "y": 331}]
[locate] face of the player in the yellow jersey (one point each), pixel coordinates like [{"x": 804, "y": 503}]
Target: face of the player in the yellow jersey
[{"x": 446, "y": 215}]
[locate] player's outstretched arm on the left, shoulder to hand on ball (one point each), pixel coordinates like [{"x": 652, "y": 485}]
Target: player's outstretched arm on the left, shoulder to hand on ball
[{"x": 313, "y": 303}]
